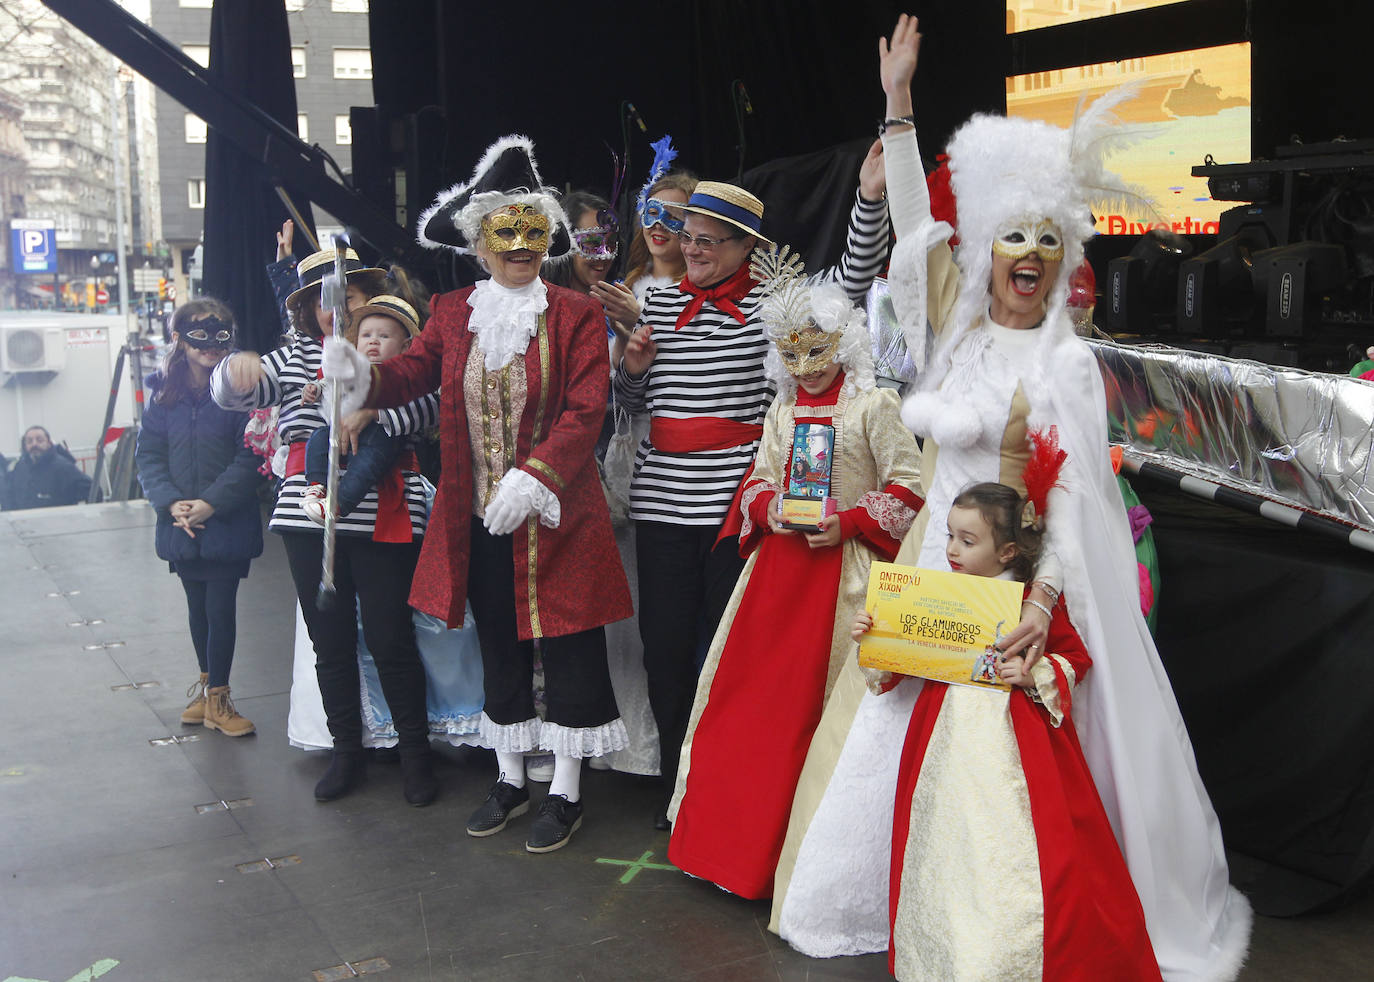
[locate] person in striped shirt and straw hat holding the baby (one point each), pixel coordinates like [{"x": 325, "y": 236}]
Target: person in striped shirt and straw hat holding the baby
[{"x": 369, "y": 573}]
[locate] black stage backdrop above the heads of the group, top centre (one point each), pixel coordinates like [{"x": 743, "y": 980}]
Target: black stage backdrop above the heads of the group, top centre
[{"x": 809, "y": 69}]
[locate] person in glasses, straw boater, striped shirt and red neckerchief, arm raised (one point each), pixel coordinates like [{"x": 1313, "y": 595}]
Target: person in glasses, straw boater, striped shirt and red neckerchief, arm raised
[{"x": 696, "y": 363}]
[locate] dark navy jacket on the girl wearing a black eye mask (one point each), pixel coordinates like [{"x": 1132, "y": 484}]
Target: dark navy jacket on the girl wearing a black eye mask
[{"x": 194, "y": 450}]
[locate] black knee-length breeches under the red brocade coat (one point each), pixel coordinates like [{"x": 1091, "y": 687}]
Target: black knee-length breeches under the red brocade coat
[{"x": 578, "y": 689}]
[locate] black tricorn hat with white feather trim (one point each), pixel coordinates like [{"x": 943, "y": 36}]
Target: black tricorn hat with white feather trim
[{"x": 506, "y": 175}]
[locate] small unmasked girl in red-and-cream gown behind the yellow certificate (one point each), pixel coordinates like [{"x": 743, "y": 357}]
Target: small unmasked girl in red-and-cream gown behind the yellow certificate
[{"x": 1004, "y": 862}]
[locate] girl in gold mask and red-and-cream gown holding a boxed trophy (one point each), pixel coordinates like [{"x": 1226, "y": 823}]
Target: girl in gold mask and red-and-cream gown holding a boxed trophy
[{"x": 832, "y": 443}]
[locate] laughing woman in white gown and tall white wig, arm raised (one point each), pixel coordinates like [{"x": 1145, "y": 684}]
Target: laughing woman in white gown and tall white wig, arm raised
[{"x": 1005, "y": 359}]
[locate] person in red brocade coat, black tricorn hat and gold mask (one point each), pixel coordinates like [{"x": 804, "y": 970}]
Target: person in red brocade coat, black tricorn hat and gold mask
[{"x": 520, "y": 527}]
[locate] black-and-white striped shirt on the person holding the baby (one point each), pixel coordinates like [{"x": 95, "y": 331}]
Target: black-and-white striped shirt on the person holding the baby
[{"x": 285, "y": 374}]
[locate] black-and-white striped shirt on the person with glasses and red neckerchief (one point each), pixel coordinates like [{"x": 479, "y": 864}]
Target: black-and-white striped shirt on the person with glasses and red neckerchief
[{"x": 715, "y": 367}]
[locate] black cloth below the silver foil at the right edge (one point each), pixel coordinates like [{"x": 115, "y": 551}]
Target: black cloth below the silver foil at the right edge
[{"x": 1263, "y": 632}]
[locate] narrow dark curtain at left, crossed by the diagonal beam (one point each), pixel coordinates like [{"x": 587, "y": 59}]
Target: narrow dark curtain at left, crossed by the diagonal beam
[{"x": 244, "y": 212}]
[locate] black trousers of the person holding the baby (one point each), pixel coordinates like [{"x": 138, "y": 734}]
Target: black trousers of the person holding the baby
[{"x": 373, "y": 579}]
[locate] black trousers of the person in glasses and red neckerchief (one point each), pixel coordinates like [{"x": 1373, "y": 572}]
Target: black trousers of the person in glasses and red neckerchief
[{"x": 685, "y": 586}]
